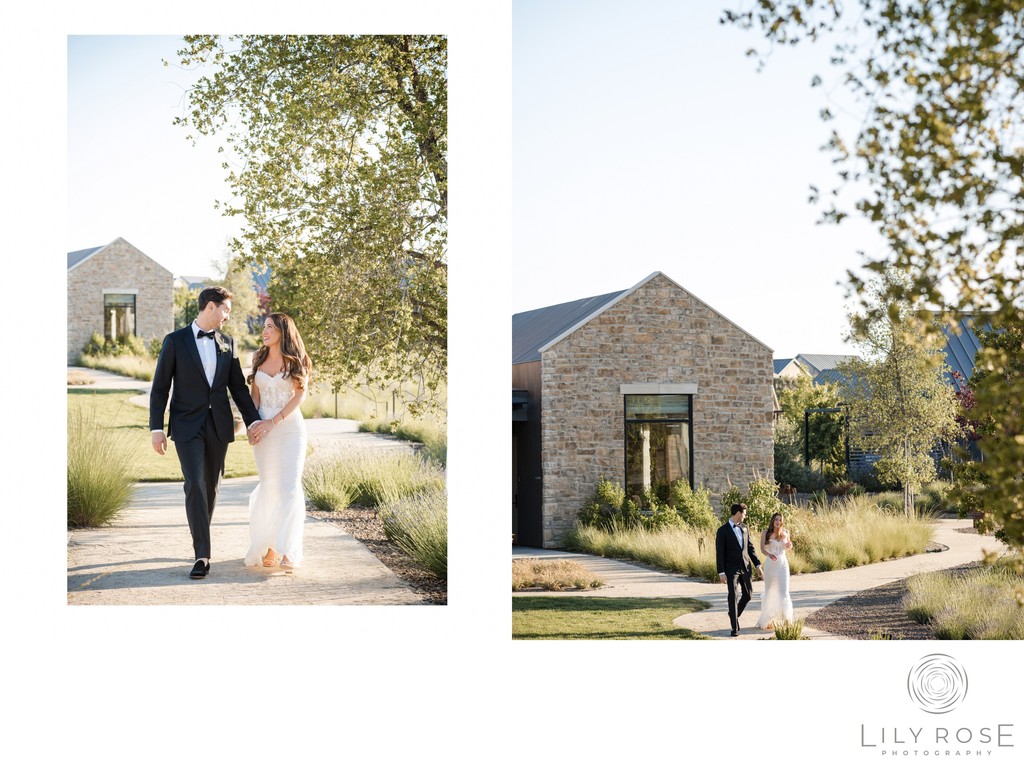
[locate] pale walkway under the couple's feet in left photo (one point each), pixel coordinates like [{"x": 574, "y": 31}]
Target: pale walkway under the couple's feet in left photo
[{"x": 146, "y": 556}]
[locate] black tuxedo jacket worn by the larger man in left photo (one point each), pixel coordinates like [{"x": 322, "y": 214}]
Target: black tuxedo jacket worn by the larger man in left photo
[{"x": 192, "y": 397}]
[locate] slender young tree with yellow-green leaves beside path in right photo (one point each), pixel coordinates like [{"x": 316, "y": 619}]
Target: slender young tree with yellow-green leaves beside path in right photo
[{"x": 902, "y": 405}]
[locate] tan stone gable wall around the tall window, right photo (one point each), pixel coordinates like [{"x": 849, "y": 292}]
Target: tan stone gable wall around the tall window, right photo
[{"x": 660, "y": 334}]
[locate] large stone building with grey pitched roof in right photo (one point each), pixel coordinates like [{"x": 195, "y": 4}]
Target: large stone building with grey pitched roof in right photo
[{"x": 644, "y": 388}]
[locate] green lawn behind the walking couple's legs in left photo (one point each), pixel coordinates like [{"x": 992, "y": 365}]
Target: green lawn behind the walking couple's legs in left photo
[{"x": 114, "y": 409}]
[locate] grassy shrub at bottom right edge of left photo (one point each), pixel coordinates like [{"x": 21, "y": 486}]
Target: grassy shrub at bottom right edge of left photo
[{"x": 418, "y": 525}]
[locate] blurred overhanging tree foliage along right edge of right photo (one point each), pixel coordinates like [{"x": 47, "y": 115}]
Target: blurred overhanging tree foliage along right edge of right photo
[{"x": 941, "y": 151}]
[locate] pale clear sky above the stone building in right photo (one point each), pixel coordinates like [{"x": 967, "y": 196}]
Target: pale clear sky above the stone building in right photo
[{"x": 646, "y": 141}]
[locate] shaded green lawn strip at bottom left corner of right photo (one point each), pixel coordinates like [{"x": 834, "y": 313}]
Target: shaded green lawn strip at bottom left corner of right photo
[{"x": 599, "y": 618}]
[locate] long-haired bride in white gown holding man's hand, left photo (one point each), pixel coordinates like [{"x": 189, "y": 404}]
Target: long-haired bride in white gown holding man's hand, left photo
[{"x": 277, "y": 508}]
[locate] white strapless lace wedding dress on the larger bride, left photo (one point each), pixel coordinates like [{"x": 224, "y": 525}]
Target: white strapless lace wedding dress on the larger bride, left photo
[{"x": 278, "y": 507}]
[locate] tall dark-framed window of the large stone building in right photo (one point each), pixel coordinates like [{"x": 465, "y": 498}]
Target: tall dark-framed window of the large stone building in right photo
[{"x": 659, "y": 443}]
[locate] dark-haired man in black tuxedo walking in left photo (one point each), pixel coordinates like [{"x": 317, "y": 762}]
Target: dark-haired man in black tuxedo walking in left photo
[{"x": 201, "y": 362}]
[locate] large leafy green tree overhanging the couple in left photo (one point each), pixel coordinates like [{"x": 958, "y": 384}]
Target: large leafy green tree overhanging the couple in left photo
[{"x": 343, "y": 178}]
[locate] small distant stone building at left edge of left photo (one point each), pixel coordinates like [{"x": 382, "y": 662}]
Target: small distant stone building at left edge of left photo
[{"x": 117, "y": 290}]
